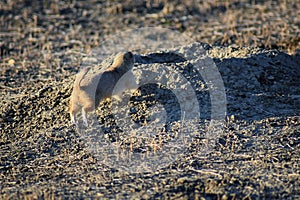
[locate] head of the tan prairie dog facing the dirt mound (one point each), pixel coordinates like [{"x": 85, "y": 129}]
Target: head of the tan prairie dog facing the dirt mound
[{"x": 123, "y": 61}]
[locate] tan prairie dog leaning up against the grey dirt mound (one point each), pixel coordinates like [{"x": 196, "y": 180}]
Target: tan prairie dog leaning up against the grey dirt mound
[{"x": 90, "y": 89}]
